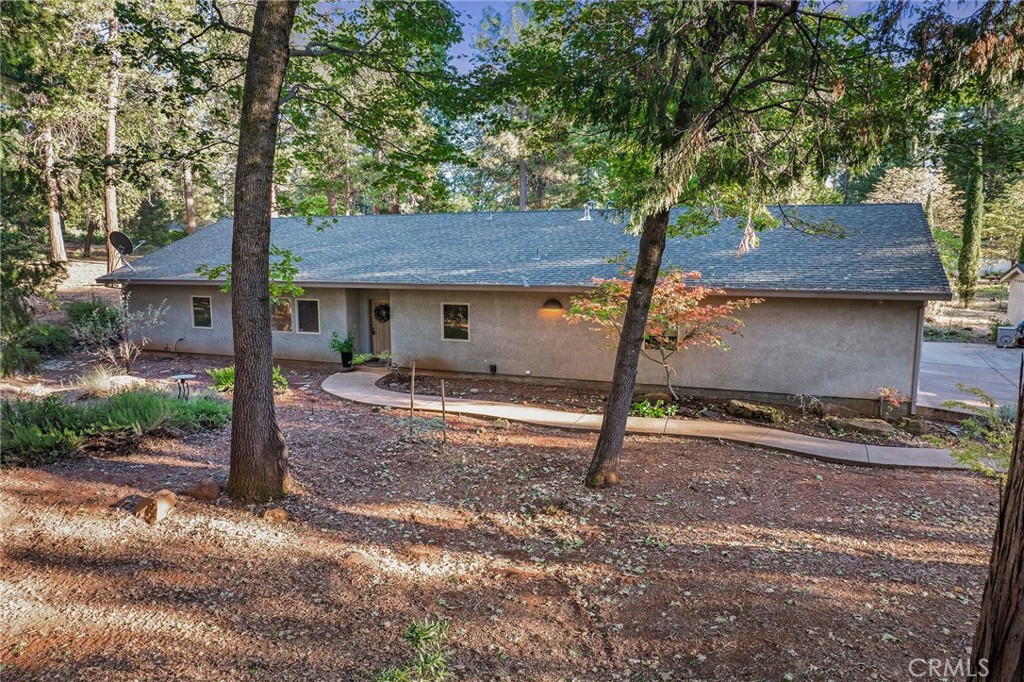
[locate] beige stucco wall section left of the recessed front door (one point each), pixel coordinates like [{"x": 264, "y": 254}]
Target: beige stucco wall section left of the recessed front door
[{"x": 178, "y": 334}]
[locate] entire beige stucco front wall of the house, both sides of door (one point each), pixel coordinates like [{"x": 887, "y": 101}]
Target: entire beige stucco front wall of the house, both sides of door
[{"x": 825, "y": 348}]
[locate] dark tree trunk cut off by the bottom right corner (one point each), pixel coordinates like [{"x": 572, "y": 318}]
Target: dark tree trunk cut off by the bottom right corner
[{"x": 999, "y": 643}]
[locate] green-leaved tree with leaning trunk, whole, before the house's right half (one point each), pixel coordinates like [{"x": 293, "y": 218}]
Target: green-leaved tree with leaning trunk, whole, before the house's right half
[{"x": 719, "y": 105}]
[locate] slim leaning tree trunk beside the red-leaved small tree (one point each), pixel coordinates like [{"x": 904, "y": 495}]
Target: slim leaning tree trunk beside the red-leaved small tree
[{"x": 604, "y": 468}]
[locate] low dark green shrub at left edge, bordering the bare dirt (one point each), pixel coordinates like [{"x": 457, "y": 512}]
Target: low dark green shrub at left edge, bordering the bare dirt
[{"x": 36, "y": 433}]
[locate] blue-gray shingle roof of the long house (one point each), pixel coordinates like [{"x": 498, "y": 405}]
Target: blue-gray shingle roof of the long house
[{"x": 887, "y": 250}]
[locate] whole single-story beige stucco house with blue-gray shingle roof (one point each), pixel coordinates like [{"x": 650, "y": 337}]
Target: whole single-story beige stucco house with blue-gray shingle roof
[{"x": 485, "y": 293}]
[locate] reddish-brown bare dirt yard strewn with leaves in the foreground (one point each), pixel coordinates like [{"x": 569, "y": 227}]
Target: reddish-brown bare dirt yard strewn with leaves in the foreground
[{"x": 710, "y": 563}]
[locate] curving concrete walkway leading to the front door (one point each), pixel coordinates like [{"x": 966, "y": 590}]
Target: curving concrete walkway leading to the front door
[{"x": 360, "y": 387}]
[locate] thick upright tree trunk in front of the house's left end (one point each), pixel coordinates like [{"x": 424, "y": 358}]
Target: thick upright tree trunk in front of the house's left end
[{"x": 260, "y": 455}]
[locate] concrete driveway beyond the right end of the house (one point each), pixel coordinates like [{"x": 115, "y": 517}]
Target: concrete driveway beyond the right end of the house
[{"x": 946, "y": 365}]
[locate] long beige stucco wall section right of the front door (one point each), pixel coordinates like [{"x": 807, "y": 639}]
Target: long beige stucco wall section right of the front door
[{"x": 834, "y": 348}]
